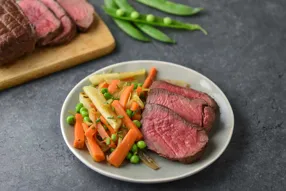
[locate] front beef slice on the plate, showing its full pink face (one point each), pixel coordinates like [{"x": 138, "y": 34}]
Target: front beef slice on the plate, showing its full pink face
[{"x": 171, "y": 136}]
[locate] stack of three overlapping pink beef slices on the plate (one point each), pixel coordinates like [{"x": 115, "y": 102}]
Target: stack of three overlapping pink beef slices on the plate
[{"x": 176, "y": 121}]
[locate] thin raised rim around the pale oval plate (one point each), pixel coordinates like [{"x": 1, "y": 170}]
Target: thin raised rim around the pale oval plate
[{"x": 134, "y": 180}]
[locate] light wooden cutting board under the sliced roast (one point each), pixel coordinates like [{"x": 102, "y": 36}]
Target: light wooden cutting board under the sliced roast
[{"x": 97, "y": 42}]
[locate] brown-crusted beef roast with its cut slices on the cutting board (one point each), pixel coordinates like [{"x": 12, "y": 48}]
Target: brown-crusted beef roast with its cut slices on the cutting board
[{"x": 28, "y": 23}]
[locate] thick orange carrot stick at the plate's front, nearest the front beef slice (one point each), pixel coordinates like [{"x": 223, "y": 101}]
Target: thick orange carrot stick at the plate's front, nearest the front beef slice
[{"x": 119, "y": 154}]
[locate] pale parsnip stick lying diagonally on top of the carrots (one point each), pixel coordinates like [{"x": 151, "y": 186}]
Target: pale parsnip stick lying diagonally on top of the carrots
[{"x": 105, "y": 109}]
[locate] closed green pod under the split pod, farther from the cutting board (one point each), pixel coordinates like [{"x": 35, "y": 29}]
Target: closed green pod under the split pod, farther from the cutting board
[{"x": 149, "y": 30}]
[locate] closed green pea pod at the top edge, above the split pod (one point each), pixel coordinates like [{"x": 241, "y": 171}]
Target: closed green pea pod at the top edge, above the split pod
[{"x": 171, "y": 7}]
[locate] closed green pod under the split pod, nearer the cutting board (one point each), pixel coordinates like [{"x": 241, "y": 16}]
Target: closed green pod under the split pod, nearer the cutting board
[{"x": 126, "y": 26}]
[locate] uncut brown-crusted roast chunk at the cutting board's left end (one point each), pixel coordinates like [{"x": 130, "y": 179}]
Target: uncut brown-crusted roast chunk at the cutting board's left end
[{"x": 17, "y": 35}]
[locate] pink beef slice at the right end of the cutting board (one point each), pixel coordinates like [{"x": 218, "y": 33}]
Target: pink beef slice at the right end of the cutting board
[{"x": 81, "y": 11}]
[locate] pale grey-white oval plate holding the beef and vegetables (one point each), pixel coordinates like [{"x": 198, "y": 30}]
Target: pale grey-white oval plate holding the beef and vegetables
[{"x": 169, "y": 171}]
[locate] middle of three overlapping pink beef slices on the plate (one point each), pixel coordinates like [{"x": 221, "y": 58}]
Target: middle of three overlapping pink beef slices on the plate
[{"x": 195, "y": 111}]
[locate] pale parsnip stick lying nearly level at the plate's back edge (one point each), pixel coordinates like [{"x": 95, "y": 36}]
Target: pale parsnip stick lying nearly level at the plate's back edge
[{"x": 98, "y": 78}]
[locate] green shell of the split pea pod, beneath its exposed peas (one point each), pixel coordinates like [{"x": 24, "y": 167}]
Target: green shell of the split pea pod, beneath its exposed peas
[{"x": 157, "y": 22}]
